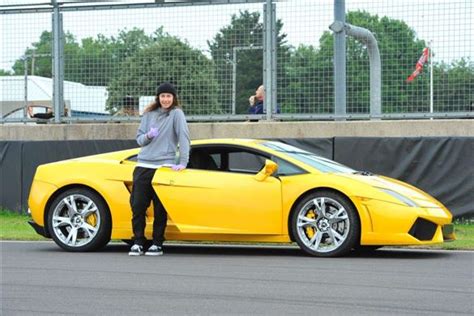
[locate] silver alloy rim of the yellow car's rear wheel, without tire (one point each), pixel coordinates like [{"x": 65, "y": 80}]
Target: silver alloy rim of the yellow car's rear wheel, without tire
[{"x": 76, "y": 220}]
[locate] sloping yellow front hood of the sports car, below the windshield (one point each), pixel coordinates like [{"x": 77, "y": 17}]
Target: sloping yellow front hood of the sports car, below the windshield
[{"x": 421, "y": 198}]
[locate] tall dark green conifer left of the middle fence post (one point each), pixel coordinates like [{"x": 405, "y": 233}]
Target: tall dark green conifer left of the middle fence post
[{"x": 243, "y": 36}]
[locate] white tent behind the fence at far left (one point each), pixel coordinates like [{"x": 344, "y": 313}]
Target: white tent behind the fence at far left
[{"x": 77, "y": 97}]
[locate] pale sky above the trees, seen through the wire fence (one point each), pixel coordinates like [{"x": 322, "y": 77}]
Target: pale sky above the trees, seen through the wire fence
[{"x": 448, "y": 24}]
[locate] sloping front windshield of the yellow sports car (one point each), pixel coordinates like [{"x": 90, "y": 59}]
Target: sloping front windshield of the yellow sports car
[{"x": 313, "y": 160}]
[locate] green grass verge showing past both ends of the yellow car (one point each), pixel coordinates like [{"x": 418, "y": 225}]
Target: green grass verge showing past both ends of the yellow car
[{"x": 15, "y": 227}]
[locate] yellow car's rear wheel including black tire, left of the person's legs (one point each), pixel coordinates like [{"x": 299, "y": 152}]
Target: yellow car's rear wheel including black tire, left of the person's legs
[{"x": 79, "y": 220}]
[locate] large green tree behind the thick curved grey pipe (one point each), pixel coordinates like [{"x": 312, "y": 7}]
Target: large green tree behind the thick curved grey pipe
[{"x": 399, "y": 49}]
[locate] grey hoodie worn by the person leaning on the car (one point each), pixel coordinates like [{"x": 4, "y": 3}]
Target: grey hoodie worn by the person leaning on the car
[{"x": 172, "y": 130}]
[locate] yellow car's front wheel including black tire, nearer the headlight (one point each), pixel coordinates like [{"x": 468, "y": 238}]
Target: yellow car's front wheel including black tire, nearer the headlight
[{"x": 329, "y": 233}]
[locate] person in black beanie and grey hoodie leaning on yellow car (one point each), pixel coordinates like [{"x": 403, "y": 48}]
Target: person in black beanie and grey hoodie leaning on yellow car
[{"x": 162, "y": 128}]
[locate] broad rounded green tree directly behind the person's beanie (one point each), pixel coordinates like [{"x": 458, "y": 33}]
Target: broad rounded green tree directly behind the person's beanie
[{"x": 167, "y": 59}]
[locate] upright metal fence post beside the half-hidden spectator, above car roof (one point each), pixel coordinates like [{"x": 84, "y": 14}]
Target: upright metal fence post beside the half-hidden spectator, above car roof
[{"x": 269, "y": 57}]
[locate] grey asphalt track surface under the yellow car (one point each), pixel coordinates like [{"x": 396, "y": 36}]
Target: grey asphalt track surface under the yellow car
[{"x": 37, "y": 278}]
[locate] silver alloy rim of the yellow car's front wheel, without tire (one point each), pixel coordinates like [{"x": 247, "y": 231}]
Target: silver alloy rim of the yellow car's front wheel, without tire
[{"x": 323, "y": 224}]
